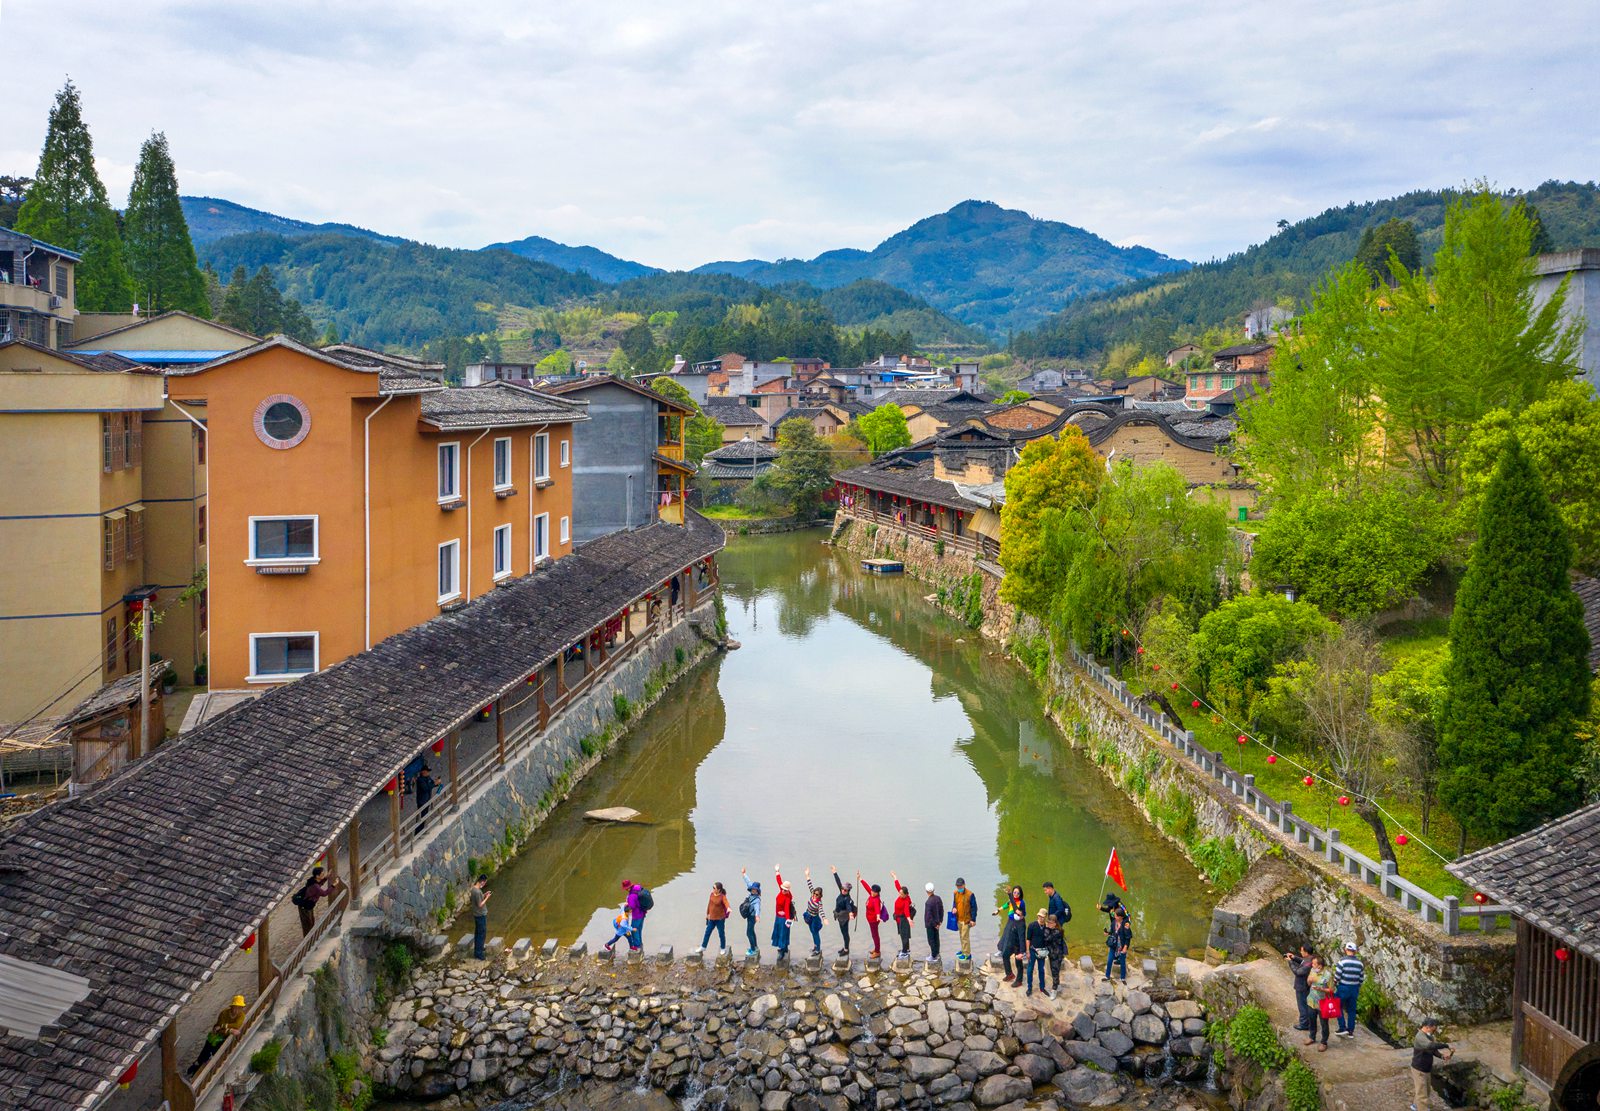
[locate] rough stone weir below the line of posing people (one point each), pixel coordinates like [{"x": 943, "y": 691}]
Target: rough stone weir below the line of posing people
[{"x": 777, "y": 1038}]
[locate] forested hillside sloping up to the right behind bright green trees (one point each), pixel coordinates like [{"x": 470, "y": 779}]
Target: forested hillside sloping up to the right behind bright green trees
[{"x": 1156, "y": 313}]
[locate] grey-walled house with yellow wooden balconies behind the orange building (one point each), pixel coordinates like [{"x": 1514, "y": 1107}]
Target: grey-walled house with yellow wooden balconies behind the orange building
[{"x": 628, "y": 457}]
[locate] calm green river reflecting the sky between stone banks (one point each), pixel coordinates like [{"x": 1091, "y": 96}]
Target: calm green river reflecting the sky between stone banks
[{"x": 860, "y": 728}]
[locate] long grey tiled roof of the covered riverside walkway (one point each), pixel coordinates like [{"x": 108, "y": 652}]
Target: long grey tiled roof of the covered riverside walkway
[{"x": 98, "y": 886}]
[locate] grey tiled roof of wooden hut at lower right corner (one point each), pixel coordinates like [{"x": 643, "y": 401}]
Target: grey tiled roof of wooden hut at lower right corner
[{"x": 1548, "y": 876}]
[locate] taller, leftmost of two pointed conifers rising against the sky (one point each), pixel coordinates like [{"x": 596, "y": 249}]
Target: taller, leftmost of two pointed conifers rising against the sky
[{"x": 68, "y": 207}]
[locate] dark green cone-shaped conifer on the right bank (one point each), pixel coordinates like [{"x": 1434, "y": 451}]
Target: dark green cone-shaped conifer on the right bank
[{"x": 1518, "y": 684}]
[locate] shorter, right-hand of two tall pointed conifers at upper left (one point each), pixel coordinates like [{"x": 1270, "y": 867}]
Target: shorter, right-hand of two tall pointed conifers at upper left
[{"x": 156, "y": 238}]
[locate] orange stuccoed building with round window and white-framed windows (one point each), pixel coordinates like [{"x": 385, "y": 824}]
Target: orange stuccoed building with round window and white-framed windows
[{"x": 354, "y": 495}]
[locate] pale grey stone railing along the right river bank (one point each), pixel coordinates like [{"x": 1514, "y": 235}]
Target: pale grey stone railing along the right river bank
[{"x": 1446, "y": 912}]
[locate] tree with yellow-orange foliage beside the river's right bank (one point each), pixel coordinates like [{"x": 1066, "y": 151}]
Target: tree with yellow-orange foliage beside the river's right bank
[{"x": 1052, "y": 476}]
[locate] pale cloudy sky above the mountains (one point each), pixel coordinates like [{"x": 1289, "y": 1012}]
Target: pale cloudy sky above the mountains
[{"x": 679, "y": 134}]
